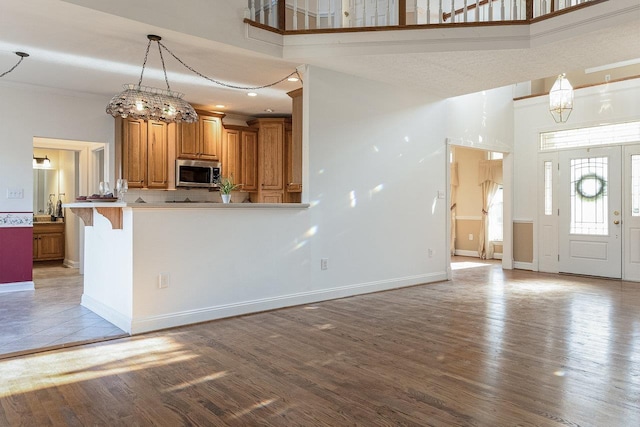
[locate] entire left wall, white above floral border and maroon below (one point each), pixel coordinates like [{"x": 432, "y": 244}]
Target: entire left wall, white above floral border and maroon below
[{"x": 27, "y": 112}]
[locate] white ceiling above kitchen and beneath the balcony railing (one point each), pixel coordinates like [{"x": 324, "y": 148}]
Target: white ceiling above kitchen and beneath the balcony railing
[{"x": 82, "y": 49}]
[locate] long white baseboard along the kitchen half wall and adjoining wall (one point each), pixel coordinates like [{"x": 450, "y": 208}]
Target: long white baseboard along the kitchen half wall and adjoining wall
[{"x": 171, "y": 320}]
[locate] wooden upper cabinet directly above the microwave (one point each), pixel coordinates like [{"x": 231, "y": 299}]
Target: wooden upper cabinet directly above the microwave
[{"x": 200, "y": 140}]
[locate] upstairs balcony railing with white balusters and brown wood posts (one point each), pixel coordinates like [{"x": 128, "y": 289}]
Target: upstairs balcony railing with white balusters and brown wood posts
[{"x": 290, "y": 16}]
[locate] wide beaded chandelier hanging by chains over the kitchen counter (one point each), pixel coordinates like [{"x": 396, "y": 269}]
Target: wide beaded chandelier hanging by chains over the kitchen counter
[{"x": 147, "y": 103}]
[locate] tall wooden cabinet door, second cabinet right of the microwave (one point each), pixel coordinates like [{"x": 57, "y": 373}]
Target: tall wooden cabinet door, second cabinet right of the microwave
[{"x": 271, "y": 155}]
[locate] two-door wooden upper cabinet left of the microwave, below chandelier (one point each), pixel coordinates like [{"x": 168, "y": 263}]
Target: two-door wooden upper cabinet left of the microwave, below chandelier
[{"x": 144, "y": 148}]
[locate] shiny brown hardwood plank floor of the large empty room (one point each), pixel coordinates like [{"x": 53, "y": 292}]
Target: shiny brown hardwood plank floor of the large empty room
[{"x": 490, "y": 348}]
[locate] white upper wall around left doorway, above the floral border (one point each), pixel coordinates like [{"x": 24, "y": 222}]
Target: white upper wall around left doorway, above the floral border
[{"x": 27, "y": 112}]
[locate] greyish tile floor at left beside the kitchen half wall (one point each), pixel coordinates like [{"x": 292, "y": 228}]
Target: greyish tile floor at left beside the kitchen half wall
[{"x": 51, "y": 316}]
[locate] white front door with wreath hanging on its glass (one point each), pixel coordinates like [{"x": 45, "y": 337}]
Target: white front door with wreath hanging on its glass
[{"x": 590, "y": 181}]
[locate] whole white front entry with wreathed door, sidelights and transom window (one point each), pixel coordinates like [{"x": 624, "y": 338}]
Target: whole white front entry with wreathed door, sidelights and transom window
[{"x": 589, "y": 217}]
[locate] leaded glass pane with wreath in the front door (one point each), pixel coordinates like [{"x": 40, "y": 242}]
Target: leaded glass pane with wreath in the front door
[{"x": 589, "y": 198}]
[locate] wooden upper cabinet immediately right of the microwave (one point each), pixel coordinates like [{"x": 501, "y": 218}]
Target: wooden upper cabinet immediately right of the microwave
[{"x": 239, "y": 148}]
